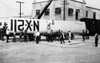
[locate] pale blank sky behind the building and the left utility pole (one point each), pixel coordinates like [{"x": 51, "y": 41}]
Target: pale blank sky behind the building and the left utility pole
[{"x": 10, "y": 8}]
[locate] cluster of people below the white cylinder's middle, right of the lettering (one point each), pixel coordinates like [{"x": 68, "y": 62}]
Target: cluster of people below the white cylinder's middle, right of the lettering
[{"x": 60, "y": 34}]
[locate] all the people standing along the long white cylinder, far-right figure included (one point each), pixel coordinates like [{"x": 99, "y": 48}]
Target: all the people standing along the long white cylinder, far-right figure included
[{"x": 59, "y": 35}]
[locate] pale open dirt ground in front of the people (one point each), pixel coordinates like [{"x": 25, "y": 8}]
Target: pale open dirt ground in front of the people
[{"x": 77, "y": 51}]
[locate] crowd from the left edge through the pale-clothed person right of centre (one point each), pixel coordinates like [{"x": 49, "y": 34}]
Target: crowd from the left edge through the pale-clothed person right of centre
[{"x": 23, "y": 37}]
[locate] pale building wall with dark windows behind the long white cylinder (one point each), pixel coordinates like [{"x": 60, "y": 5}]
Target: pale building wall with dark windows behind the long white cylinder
[{"x": 71, "y": 10}]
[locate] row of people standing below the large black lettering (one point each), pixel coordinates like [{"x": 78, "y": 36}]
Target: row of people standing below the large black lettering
[{"x": 23, "y": 36}]
